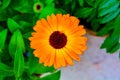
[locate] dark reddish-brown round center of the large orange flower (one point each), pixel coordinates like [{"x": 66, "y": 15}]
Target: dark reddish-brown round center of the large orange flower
[{"x": 57, "y": 40}]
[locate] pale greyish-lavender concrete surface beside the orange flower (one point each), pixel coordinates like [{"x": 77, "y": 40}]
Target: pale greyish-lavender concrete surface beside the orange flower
[{"x": 95, "y": 64}]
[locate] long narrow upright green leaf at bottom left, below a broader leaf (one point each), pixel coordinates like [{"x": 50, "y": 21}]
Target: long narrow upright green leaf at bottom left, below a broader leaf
[{"x": 18, "y": 63}]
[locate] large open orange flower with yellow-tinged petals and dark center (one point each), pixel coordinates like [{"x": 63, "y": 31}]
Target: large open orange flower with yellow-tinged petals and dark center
[{"x": 58, "y": 40}]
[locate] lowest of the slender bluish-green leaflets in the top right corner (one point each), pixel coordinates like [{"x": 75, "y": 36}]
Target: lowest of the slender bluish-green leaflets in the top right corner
[{"x": 110, "y": 16}]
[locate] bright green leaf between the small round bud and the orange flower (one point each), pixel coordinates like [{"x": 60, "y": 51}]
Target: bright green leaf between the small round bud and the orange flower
[{"x": 48, "y": 10}]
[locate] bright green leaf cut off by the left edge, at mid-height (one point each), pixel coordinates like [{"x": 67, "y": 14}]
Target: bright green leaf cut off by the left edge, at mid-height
[{"x": 3, "y": 35}]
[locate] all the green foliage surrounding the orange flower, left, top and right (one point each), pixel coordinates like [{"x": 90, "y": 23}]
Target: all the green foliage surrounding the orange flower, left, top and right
[{"x": 17, "y": 18}]
